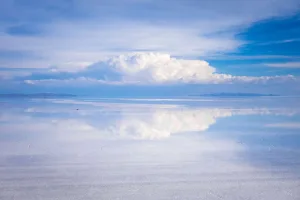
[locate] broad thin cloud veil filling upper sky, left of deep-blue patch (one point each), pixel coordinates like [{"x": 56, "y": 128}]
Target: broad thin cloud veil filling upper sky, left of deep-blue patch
[{"x": 82, "y": 31}]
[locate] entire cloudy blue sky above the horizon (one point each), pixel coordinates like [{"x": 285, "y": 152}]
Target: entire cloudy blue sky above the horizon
[{"x": 150, "y": 47}]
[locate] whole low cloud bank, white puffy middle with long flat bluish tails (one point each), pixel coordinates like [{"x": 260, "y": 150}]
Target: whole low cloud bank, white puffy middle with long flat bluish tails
[{"x": 147, "y": 68}]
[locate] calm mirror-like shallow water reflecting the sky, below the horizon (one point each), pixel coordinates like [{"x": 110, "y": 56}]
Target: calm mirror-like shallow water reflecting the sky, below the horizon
[{"x": 150, "y": 149}]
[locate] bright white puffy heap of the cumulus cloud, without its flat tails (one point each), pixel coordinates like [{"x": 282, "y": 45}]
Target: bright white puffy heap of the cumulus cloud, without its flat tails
[{"x": 154, "y": 67}]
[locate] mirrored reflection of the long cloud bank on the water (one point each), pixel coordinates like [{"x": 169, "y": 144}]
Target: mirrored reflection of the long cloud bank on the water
[{"x": 96, "y": 120}]
